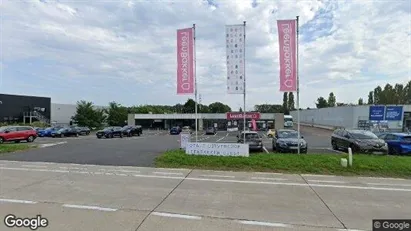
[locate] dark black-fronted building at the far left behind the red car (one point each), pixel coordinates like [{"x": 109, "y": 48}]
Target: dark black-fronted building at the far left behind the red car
[{"x": 21, "y": 108}]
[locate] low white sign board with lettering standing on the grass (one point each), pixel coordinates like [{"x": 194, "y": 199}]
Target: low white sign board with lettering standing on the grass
[{"x": 218, "y": 149}]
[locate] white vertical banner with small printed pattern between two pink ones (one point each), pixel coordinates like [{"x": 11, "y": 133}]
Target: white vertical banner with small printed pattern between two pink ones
[{"x": 235, "y": 45}]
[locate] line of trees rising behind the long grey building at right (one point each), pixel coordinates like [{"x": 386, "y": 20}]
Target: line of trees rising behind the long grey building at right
[{"x": 397, "y": 94}]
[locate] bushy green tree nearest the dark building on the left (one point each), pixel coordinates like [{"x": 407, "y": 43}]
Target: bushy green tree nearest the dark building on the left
[{"x": 87, "y": 116}]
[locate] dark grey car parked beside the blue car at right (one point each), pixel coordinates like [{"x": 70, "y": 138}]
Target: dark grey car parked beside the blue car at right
[{"x": 360, "y": 141}]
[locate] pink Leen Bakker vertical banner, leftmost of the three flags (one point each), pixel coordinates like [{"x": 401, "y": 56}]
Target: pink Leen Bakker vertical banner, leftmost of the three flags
[{"x": 185, "y": 61}]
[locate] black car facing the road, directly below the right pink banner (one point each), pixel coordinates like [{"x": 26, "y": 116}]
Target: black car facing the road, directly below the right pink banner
[{"x": 286, "y": 140}]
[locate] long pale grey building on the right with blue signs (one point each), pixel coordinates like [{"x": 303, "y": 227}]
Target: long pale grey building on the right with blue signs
[{"x": 390, "y": 117}]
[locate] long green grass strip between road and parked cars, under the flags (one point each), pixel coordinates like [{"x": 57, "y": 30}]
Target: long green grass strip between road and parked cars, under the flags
[{"x": 363, "y": 165}]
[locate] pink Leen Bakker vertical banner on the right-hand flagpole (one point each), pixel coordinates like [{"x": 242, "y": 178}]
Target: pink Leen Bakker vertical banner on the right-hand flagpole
[{"x": 288, "y": 55}]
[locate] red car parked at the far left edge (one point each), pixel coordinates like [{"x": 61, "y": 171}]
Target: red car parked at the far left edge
[{"x": 17, "y": 134}]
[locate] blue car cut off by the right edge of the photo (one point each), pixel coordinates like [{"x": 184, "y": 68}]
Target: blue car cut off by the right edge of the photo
[{"x": 398, "y": 143}]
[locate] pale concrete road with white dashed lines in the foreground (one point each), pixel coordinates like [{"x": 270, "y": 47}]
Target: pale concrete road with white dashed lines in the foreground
[{"x": 84, "y": 197}]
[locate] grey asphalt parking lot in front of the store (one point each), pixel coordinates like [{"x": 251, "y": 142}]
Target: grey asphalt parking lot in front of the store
[{"x": 139, "y": 150}]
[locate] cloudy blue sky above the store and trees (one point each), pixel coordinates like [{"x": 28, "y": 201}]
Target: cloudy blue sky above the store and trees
[{"x": 125, "y": 50}]
